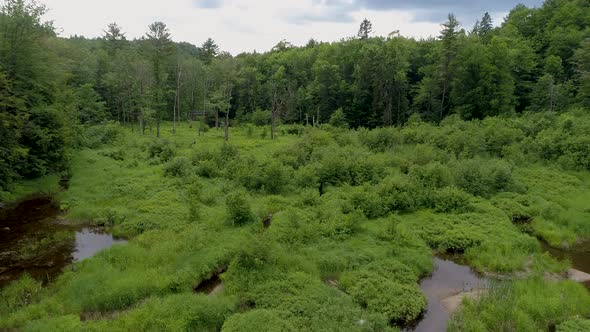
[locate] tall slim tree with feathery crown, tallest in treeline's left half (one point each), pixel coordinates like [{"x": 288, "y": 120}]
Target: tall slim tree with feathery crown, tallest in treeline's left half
[{"x": 161, "y": 48}]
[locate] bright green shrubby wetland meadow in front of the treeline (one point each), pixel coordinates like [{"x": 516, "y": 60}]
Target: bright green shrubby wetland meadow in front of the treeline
[{"x": 321, "y": 229}]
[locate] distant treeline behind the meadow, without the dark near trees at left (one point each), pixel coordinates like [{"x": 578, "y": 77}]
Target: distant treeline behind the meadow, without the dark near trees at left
[{"x": 538, "y": 59}]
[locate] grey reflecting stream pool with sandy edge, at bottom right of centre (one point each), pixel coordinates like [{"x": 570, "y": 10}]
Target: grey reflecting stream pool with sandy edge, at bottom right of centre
[{"x": 449, "y": 278}]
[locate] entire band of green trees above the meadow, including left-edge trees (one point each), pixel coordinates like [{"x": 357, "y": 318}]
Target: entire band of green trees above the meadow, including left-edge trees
[{"x": 538, "y": 59}]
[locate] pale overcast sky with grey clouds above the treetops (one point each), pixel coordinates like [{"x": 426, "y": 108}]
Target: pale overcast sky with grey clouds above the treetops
[{"x": 247, "y": 25}]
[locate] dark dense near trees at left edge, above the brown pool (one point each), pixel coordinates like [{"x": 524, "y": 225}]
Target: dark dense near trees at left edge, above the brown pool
[{"x": 32, "y": 80}]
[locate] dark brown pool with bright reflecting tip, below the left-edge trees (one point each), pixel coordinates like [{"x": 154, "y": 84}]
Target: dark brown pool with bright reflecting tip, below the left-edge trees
[{"x": 35, "y": 240}]
